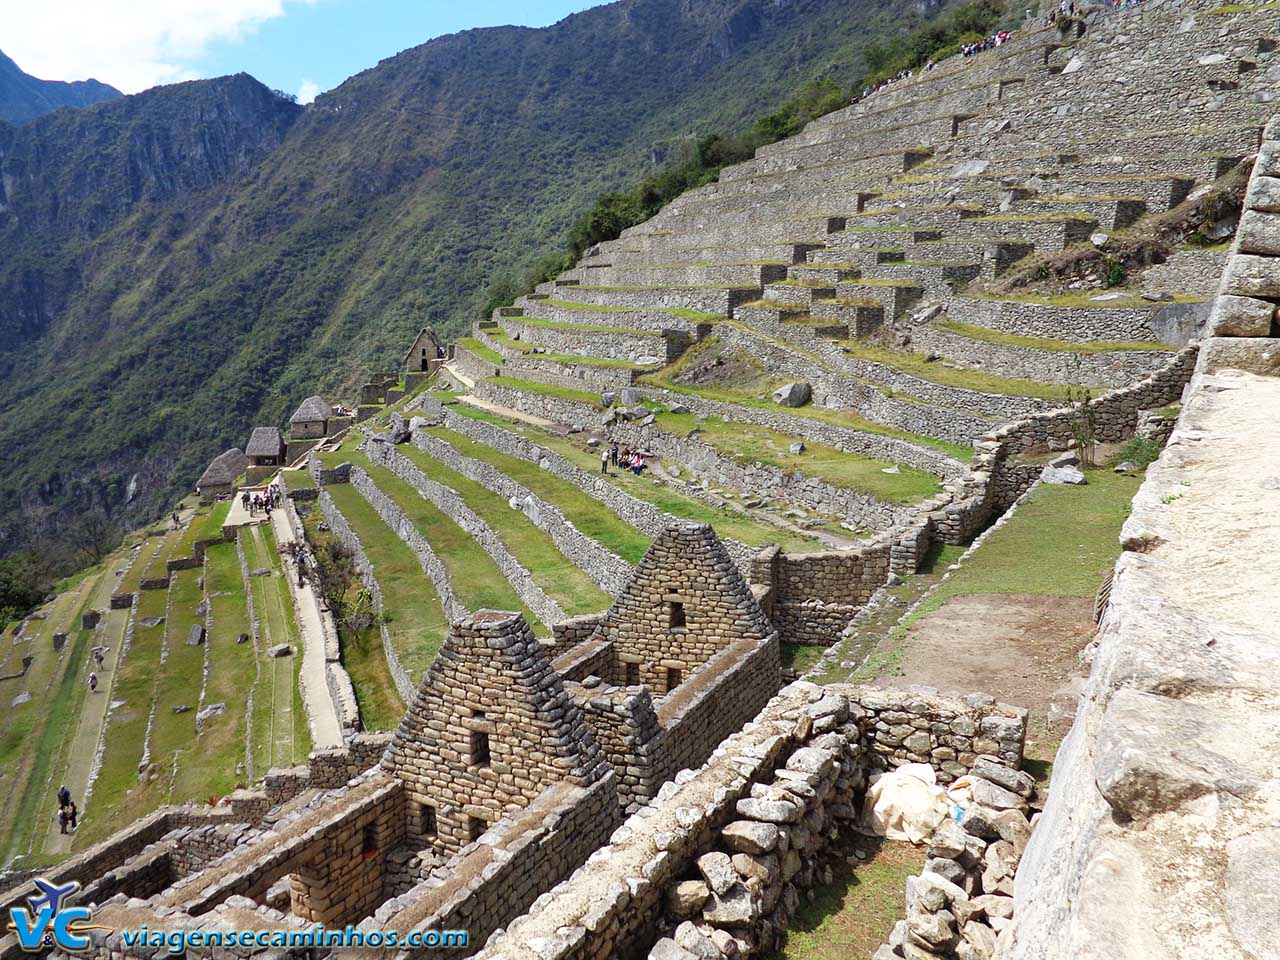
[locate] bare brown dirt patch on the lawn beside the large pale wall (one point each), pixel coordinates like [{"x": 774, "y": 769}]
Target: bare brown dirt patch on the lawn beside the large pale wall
[{"x": 1020, "y": 648}]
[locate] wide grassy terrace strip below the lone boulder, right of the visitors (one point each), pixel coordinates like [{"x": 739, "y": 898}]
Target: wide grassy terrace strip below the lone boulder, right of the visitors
[{"x": 851, "y": 472}]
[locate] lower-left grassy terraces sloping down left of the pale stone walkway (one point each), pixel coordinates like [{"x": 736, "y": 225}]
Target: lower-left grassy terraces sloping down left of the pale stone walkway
[{"x": 190, "y": 702}]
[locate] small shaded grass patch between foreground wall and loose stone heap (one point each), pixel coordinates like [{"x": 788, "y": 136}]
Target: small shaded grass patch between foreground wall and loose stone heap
[{"x": 853, "y": 916}]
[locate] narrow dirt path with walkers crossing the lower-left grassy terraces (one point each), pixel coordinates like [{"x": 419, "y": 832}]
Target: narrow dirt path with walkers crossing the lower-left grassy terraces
[{"x": 79, "y": 765}]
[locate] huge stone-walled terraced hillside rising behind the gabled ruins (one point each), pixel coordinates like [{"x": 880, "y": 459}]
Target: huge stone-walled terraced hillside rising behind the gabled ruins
[{"x": 953, "y": 254}]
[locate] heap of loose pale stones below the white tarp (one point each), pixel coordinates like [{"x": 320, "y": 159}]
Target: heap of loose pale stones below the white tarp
[{"x": 963, "y": 902}]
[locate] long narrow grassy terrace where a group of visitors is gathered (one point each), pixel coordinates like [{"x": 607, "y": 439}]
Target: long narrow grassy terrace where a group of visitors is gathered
[{"x": 728, "y": 523}]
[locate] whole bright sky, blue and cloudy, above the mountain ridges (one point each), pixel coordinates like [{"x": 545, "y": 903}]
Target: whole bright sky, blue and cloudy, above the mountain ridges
[{"x": 301, "y": 47}]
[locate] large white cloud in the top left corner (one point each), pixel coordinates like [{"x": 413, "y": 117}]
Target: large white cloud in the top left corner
[{"x": 130, "y": 44}]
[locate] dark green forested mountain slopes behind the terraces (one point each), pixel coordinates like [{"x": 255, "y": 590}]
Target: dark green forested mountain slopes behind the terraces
[{"x": 182, "y": 264}]
